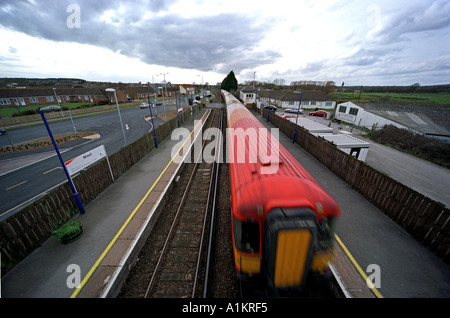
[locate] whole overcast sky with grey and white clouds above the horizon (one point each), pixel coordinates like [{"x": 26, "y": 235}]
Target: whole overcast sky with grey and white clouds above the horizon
[{"x": 370, "y": 42}]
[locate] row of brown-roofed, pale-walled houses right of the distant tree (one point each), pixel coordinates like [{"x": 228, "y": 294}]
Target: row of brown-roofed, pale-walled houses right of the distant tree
[{"x": 290, "y": 99}]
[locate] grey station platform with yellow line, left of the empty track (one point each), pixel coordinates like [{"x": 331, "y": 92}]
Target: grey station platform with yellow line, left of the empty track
[{"x": 112, "y": 224}]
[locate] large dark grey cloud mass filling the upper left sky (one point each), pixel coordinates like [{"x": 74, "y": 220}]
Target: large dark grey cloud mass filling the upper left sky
[{"x": 204, "y": 43}]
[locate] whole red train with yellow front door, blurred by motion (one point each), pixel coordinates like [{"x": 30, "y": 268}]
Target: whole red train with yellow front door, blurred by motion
[{"x": 282, "y": 219}]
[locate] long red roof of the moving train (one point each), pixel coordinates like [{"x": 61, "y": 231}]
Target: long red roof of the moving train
[{"x": 265, "y": 178}]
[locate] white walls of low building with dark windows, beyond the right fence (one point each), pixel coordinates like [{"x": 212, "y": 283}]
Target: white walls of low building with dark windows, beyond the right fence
[{"x": 354, "y": 114}]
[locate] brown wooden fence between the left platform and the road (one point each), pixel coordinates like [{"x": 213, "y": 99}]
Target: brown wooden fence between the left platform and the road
[{"x": 27, "y": 229}]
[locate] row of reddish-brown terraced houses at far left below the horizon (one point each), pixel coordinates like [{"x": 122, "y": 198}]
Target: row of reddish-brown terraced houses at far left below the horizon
[{"x": 11, "y": 97}]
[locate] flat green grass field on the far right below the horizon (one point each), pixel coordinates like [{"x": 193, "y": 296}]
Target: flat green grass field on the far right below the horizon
[{"x": 435, "y": 99}]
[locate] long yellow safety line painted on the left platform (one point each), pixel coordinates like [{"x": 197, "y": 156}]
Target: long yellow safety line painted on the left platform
[{"x": 97, "y": 263}]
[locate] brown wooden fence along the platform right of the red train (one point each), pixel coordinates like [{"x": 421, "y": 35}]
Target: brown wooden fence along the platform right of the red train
[{"x": 426, "y": 220}]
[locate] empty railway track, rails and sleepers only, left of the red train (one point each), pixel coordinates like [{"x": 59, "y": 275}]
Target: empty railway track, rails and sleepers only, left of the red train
[{"x": 180, "y": 271}]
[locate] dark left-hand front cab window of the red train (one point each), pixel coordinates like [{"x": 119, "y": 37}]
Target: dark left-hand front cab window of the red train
[{"x": 246, "y": 235}]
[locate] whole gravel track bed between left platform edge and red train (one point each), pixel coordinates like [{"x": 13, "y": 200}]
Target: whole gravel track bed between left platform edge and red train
[{"x": 173, "y": 261}]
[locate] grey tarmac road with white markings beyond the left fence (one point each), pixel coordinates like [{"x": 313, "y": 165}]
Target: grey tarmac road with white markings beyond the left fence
[{"x": 37, "y": 172}]
